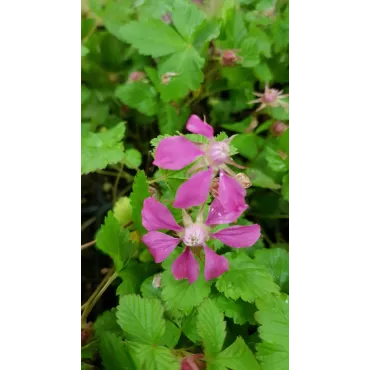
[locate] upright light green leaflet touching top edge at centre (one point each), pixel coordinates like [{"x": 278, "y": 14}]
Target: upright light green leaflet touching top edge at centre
[{"x": 186, "y": 18}]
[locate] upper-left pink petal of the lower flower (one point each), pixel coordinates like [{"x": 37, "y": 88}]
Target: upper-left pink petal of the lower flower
[{"x": 157, "y": 217}]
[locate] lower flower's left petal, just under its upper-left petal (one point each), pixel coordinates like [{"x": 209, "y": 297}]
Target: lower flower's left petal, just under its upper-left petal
[{"x": 160, "y": 245}]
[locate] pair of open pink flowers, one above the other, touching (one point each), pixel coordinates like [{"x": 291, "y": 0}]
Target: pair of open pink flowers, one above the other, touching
[{"x": 212, "y": 158}]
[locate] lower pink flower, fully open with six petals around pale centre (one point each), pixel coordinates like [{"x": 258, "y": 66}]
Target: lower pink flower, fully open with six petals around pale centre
[{"x": 194, "y": 235}]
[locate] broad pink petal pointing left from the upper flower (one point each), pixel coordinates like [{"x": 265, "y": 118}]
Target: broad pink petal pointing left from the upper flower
[{"x": 175, "y": 153}]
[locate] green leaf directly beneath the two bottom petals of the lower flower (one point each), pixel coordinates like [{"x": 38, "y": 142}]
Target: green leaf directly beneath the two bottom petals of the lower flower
[{"x": 180, "y": 295}]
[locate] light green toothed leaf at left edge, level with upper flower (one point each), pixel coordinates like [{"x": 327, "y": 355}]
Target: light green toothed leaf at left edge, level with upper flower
[{"x": 97, "y": 150}]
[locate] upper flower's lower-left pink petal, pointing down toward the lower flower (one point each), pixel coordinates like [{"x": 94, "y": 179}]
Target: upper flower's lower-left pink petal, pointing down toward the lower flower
[{"x": 194, "y": 191}]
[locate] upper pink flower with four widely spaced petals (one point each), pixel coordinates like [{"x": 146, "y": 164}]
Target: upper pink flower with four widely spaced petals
[{"x": 177, "y": 152}]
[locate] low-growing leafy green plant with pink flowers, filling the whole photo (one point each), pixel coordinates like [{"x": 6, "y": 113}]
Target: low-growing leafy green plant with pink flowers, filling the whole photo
[{"x": 185, "y": 152}]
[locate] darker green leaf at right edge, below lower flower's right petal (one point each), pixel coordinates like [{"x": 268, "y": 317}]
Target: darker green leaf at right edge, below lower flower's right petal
[{"x": 277, "y": 261}]
